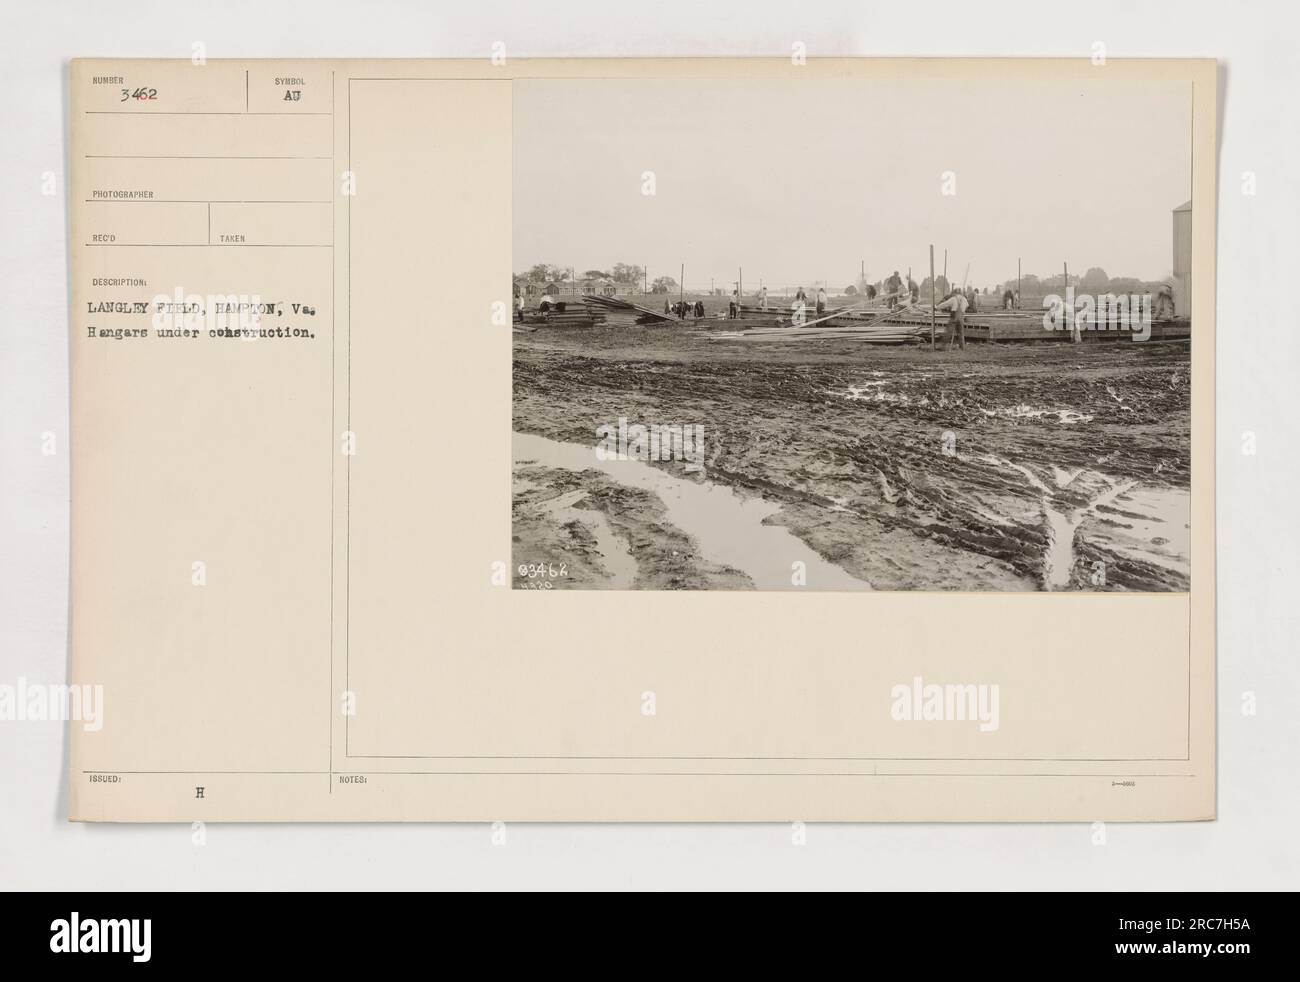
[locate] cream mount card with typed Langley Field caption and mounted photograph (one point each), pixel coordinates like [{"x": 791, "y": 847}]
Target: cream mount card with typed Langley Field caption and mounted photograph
[{"x": 616, "y": 440}]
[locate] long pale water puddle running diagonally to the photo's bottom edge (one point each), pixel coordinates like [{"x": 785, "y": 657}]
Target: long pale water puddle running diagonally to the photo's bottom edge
[{"x": 729, "y": 529}]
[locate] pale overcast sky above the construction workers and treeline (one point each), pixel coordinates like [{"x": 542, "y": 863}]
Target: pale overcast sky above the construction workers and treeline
[{"x": 799, "y": 181}]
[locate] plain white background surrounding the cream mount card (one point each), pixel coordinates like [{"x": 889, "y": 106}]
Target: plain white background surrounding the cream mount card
[{"x": 1254, "y": 842}]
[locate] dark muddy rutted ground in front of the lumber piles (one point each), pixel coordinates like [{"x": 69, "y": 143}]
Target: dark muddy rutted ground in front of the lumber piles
[{"x": 1006, "y": 468}]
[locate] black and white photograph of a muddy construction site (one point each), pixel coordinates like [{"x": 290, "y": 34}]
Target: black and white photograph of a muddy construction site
[{"x": 852, "y": 335}]
